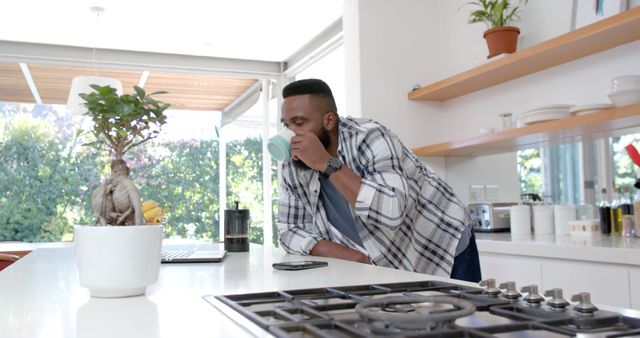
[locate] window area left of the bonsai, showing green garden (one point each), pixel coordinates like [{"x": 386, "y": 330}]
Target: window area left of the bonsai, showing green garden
[{"x": 46, "y": 179}]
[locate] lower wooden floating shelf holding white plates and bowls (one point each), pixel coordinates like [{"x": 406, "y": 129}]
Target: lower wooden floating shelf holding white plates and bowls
[{"x": 573, "y": 129}]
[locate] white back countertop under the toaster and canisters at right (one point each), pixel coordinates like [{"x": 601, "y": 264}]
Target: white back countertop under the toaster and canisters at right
[{"x": 597, "y": 248}]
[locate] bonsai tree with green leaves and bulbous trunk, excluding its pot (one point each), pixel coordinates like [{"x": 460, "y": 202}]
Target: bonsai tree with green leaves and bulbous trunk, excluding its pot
[{"x": 121, "y": 122}]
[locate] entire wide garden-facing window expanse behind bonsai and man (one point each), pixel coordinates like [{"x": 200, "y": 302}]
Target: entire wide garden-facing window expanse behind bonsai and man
[{"x": 195, "y": 169}]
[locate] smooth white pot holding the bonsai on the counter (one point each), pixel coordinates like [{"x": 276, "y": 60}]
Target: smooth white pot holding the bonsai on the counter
[{"x": 118, "y": 261}]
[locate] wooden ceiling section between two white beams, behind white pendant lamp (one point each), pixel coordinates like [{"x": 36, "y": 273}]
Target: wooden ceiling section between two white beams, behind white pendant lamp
[{"x": 54, "y": 82}]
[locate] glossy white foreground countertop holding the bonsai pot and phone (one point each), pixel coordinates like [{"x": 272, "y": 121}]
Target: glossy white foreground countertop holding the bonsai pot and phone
[{"x": 40, "y": 295}]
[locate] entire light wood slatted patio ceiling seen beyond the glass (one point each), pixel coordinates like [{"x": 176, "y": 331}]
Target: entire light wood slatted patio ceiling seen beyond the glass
[{"x": 185, "y": 91}]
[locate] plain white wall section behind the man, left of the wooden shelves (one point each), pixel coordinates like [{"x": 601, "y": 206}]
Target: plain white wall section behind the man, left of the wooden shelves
[{"x": 396, "y": 40}]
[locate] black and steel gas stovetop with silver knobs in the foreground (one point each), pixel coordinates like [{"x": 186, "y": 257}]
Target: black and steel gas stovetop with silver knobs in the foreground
[{"x": 425, "y": 309}]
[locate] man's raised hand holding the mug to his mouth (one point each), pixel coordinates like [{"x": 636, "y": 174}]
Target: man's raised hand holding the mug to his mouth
[{"x": 306, "y": 146}]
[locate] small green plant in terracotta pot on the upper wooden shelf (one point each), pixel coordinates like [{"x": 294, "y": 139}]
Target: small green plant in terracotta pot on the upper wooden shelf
[{"x": 498, "y": 15}]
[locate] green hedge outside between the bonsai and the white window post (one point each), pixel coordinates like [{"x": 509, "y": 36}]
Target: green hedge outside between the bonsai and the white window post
[{"x": 183, "y": 177}]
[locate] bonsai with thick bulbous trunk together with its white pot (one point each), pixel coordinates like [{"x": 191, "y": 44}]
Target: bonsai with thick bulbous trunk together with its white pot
[{"x": 115, "y": 260}]
